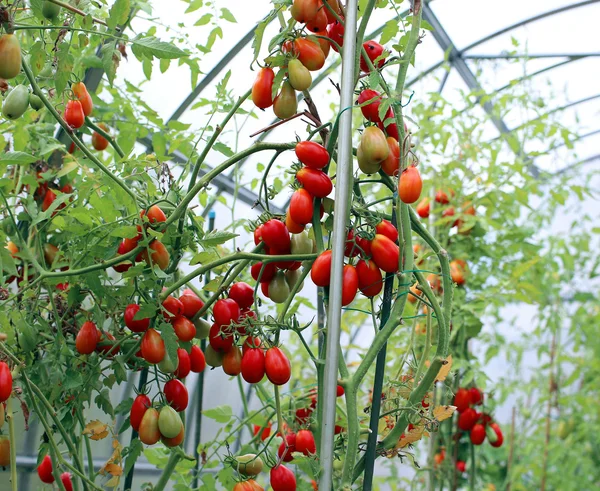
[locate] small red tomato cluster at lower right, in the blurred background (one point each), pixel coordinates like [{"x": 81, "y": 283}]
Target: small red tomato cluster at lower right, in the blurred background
[{"x": 472, "y": 421}]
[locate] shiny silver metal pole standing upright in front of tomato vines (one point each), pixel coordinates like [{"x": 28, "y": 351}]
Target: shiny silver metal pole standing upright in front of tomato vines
[{"x": 342, "y": 199}]
